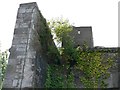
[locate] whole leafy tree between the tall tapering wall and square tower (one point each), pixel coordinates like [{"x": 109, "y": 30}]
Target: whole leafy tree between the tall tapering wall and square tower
[{"x": 60, "y": 29}]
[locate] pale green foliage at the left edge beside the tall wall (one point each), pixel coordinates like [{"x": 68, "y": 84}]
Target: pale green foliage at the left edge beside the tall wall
[{"x": 3, "y": 64}]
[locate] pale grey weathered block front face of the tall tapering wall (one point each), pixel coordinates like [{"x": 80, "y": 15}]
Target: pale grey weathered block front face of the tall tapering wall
[{"x": 20, "y": 70}]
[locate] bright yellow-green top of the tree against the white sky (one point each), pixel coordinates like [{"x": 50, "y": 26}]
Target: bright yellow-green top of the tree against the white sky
[{"x": 60, "y": 27}]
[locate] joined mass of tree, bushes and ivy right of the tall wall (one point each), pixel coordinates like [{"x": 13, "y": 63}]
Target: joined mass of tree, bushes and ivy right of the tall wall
[{"x": 94, "y": 66}]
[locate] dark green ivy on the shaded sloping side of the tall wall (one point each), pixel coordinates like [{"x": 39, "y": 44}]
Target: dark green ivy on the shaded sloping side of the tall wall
[{"x": 47, "y": 45}]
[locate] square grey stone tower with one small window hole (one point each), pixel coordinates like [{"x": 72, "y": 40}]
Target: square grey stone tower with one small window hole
[{"x": 82, "y": 35}]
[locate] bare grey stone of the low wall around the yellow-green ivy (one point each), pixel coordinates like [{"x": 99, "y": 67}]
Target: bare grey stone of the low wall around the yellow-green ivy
[{"x": 113, "y": 80}]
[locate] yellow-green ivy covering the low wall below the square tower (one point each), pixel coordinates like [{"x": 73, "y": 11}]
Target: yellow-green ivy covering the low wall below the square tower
[{"x": 95, "y": 67}]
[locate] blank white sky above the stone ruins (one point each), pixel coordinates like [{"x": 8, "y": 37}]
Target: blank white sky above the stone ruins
[{"x": 102, "y": 15}]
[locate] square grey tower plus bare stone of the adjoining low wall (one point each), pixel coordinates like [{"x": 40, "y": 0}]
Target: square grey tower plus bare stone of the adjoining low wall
[{"x": 83, "y": 35}]
